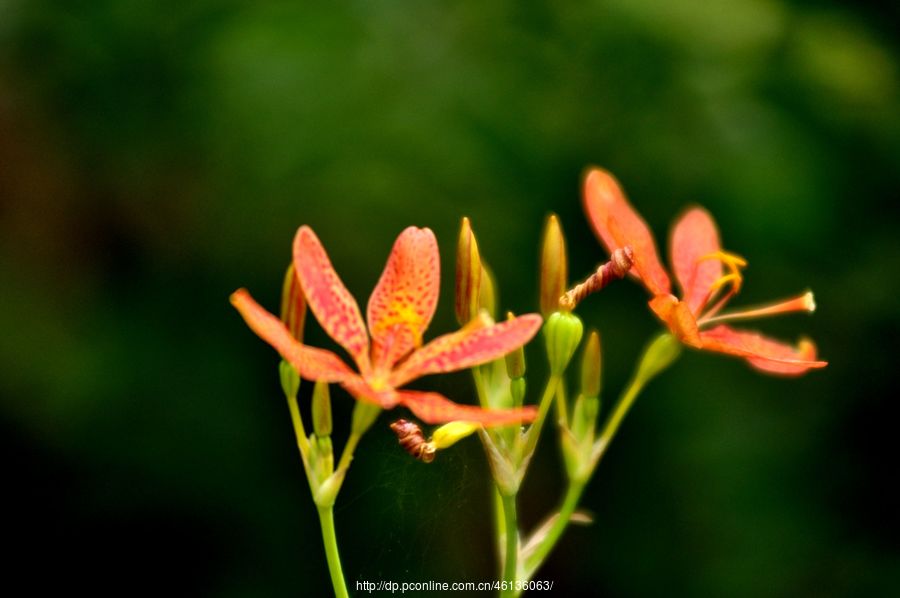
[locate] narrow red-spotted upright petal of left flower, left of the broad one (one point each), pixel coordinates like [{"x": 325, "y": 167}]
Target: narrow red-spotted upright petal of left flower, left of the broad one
[{"x": 328, "y": 298}]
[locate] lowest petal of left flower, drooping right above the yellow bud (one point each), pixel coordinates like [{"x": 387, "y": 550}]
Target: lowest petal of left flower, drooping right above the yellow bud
[{"x": 433, "y": 408}]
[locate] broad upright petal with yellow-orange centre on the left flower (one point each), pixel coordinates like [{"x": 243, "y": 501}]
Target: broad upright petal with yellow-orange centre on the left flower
[{"x": 403, "y": 302}]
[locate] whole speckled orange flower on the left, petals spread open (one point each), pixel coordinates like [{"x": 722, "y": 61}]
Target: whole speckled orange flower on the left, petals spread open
[{"x": 390, "y": 354}]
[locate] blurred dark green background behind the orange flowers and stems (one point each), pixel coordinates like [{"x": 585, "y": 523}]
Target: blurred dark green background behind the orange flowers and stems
[{"x": 155, "y": 156}]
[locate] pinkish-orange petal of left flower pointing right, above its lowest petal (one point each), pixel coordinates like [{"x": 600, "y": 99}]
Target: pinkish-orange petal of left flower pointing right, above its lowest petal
[{"x": 476, "y": 343}]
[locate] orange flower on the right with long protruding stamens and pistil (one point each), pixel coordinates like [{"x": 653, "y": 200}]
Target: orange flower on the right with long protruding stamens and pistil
[{"x": 697, "y": 261}]
